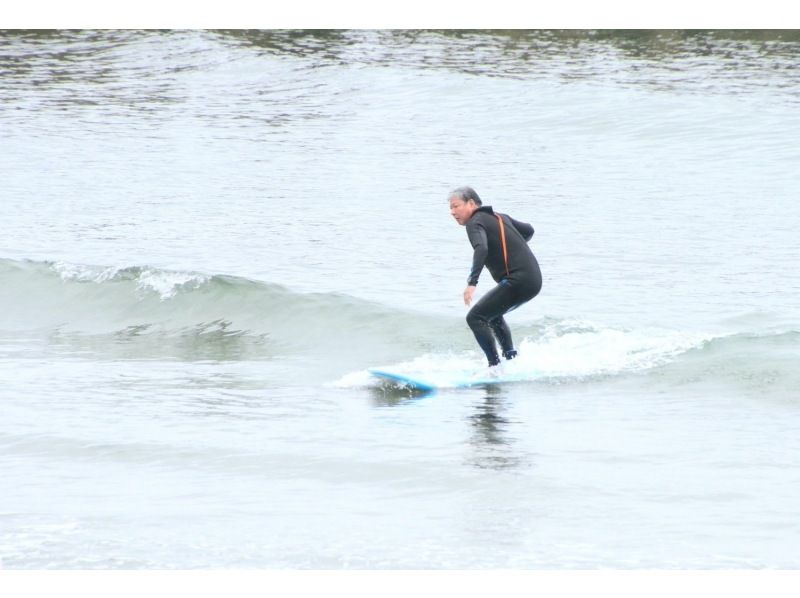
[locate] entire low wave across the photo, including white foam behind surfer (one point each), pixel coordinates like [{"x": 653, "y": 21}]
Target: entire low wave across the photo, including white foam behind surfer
[{"x": 146, "y": 312}]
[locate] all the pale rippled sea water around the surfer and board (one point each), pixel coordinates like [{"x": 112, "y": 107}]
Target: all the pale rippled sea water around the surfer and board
[{"x": 208, "y": 237}]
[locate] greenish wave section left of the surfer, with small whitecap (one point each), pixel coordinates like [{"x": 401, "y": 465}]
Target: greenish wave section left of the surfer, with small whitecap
[{"x": 146, "y": 307}]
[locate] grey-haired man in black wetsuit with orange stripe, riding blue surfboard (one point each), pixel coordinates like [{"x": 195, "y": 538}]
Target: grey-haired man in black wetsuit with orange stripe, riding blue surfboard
[{"x": 501, "y": 244}]
